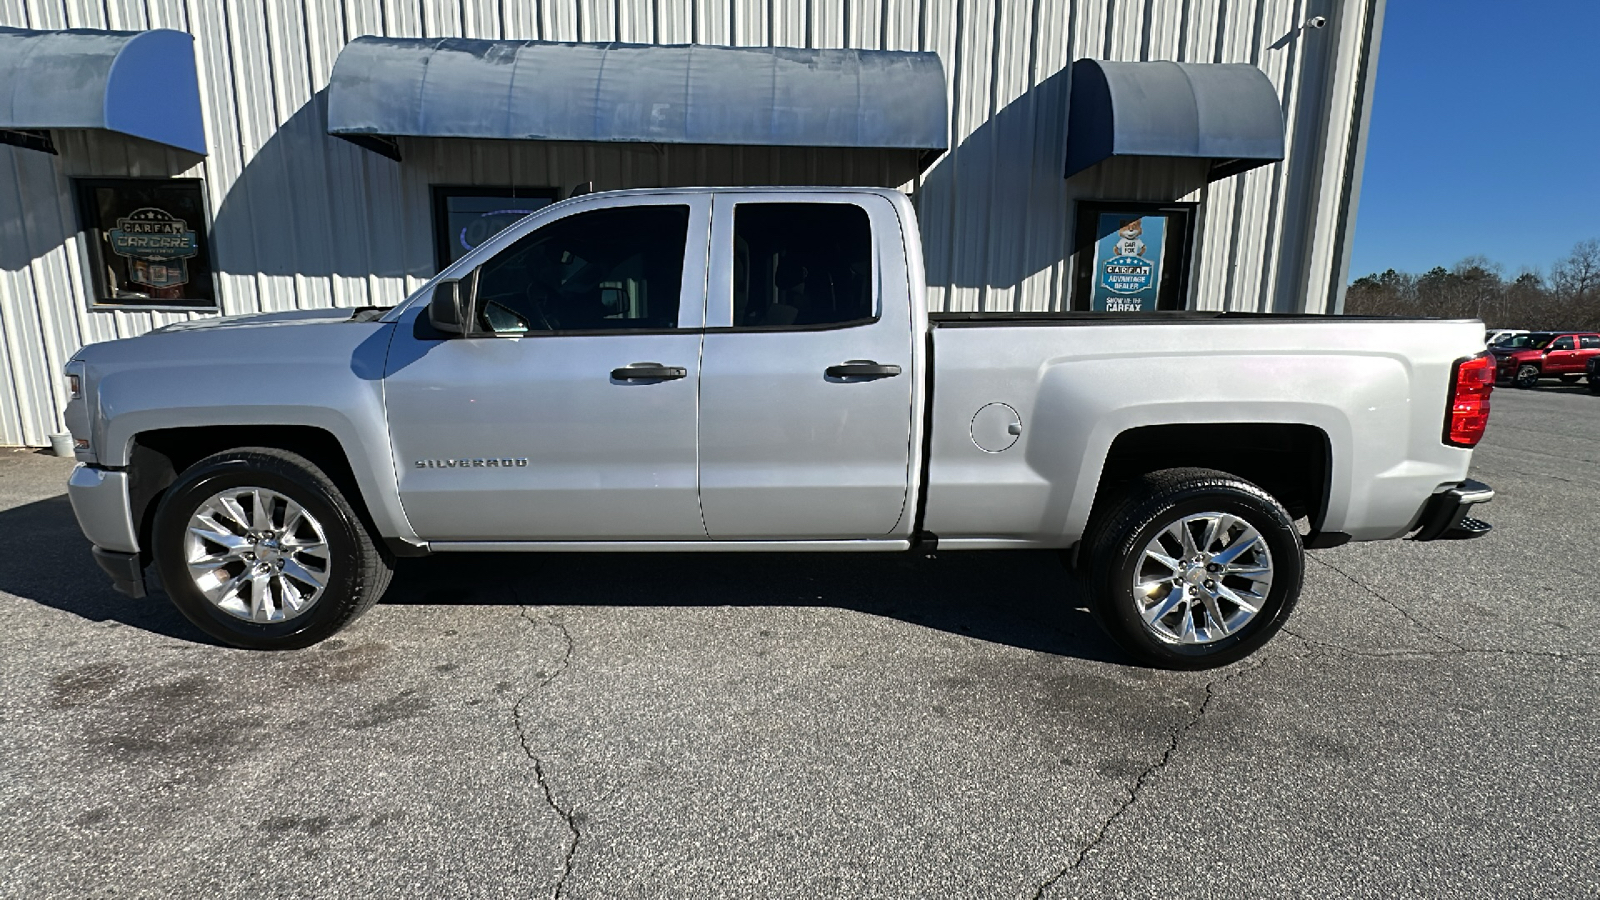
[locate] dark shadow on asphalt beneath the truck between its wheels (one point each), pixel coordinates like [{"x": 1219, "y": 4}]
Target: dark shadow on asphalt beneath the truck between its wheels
[{"x": 1017, "y": 598}]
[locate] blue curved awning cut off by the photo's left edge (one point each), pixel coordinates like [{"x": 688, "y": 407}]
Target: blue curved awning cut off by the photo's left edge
[{"x": 140, "y": 84}]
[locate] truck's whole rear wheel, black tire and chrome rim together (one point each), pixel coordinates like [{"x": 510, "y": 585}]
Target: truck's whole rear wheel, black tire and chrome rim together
[{"x": 1191, "y": 569}]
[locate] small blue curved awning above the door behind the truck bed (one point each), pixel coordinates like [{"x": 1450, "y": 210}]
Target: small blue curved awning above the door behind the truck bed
[{"x": 1225, "y": 113}]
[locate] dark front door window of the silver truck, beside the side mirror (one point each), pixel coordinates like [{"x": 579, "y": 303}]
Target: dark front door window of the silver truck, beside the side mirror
[{"x": 598, "y": 271}]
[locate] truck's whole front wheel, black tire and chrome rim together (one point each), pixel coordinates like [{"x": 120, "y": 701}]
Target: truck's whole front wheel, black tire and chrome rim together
[{"x": 262, "y": 550}]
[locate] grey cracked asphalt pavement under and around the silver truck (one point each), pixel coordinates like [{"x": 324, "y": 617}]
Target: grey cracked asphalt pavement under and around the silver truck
[{"x": 801, "y": 726}]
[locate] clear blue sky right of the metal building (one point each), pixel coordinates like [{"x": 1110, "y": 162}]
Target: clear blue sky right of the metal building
[{"x": 1486, "y": 135}]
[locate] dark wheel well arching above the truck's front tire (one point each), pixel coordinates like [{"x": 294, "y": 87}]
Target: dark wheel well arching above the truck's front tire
[{"x": 159, "y": 457}]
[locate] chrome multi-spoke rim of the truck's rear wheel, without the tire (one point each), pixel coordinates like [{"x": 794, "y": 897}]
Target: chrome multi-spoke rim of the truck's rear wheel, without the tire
[{"x": 1202, "y": 579}]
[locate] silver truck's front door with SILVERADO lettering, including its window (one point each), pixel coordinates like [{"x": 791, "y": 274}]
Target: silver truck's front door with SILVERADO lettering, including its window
[{"x": 567, "y": 411}]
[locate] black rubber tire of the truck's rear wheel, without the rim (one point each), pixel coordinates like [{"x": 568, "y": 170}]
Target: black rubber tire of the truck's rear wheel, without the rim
[{"x": 1114, "y": 553}]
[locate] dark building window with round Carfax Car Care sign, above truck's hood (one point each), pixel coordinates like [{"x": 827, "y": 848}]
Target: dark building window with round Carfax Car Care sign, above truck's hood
[{"x": 148, "y": 243}]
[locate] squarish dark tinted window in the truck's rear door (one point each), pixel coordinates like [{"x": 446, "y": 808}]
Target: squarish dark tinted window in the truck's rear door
[{"x": 801, "y": 265}]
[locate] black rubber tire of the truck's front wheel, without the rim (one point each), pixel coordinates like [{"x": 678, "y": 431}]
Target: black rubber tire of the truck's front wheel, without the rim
[{"x": 359, "y": 568}]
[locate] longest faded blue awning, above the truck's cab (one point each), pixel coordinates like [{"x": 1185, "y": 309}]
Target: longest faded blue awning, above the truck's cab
[{"x": 617, "y": 92}]
